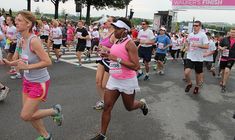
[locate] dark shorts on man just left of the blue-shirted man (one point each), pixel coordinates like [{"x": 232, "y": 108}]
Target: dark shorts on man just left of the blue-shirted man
[{"x": 145, "y": 53}]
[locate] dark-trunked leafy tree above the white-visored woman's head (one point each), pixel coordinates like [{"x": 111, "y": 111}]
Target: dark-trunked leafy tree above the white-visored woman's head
[{"x": 102, "y": 4}]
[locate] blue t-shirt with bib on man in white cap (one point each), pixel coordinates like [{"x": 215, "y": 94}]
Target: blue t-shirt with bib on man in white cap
[{"x": 162, "y": 41}]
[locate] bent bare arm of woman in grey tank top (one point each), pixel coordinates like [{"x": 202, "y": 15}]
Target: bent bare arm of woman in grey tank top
[{"x": 39, "y": 51}]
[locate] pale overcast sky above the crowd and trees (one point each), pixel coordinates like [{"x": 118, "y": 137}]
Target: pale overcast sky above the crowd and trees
[{"x": 142, "y": 9}]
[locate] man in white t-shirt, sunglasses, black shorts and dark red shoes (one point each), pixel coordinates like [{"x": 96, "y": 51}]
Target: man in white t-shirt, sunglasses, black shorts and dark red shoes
[{"x": 197, "y": 43}]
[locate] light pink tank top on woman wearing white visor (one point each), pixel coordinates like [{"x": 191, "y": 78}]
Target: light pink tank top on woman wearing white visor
[{"x": 117, "y": 70}]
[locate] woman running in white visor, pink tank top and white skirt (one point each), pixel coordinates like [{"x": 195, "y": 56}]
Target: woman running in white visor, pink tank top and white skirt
[{"x": 122, "y": 81}]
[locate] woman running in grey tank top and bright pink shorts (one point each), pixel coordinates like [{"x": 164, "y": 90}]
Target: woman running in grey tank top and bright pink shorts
[{"x": 36, "y": 78}]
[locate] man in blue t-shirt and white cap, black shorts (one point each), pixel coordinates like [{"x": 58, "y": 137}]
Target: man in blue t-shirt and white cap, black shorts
[{"x": 163, "y": 42}]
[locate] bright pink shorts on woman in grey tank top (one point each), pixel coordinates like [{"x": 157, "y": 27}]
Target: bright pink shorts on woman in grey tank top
[{"x": 36, "y": 90}]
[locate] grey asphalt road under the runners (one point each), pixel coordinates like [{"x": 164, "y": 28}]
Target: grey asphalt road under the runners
[{"x": 173, "y": 115}]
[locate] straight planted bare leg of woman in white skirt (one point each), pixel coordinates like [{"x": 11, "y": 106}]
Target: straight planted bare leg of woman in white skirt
[{"x": 110, "y": 98}]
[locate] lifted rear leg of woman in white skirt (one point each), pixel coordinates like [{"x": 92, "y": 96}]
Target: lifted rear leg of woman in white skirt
[{"x": 130, "y": 103}]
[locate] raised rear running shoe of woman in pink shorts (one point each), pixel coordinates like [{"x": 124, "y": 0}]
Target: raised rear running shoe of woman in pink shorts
[{"x": 58, "y": 117}]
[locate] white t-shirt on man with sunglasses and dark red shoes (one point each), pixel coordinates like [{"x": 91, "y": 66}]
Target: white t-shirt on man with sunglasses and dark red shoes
[{"x": 196, "y": 53}]
